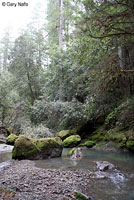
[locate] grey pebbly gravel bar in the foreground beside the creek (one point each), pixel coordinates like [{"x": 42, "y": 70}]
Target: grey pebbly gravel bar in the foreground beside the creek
[{"x": 21, "y": 180}]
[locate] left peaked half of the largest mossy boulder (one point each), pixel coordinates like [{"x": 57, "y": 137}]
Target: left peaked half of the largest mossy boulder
[{"x": 24, "y": 148}]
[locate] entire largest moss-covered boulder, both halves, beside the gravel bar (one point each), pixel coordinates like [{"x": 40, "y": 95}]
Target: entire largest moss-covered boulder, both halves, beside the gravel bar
[{"x": 26, "y": 148}]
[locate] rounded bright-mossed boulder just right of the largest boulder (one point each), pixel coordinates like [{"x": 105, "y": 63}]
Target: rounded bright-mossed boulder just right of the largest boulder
[{"x": 72, "y": 141}]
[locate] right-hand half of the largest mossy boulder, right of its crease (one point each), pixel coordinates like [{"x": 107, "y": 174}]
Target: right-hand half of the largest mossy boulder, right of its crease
[{"x": 50, "y": 147}]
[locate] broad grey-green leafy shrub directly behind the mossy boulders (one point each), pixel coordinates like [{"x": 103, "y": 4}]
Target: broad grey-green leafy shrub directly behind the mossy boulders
[{"x": 59, "y": 115}]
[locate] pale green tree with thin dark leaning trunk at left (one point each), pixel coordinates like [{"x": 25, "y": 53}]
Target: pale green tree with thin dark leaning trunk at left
[{"x": 23, "y": 65}]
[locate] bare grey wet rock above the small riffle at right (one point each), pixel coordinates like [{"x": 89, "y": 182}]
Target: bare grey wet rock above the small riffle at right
[{"x": 104, "y": 165}]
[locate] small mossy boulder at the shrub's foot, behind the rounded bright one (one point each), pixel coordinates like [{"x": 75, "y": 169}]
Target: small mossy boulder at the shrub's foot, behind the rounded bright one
[{"x": 66, "y": 133}]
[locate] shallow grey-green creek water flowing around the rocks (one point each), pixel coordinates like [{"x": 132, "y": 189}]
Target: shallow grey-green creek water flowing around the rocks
[{"x": 119, "y": 184}]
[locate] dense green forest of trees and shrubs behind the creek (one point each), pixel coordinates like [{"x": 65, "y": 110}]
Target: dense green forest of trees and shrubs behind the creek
[{"x": 75, "y": 69}]
